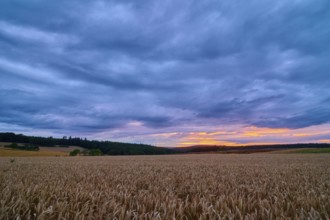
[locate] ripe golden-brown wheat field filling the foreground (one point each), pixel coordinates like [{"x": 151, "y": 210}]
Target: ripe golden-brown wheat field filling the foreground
[{"x": 205, "y": 186}]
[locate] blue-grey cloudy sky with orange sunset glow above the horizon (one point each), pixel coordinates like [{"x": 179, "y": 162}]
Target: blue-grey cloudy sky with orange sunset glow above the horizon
[{"x": 167, "y": 73}]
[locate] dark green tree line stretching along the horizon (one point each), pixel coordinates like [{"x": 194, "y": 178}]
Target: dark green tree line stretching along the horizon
[{"x": 94, "y": 148}]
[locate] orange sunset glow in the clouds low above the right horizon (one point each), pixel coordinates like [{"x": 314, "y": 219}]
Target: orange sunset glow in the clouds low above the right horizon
[{"x": 253, "y": 136}]
